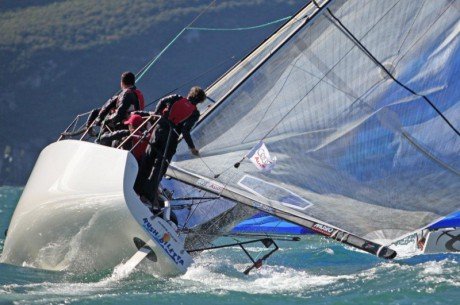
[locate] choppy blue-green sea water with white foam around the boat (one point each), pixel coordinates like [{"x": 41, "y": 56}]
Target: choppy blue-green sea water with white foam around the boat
[{"x": 313, "y": 271}]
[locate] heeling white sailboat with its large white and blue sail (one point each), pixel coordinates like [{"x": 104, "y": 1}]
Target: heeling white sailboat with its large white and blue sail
[{"x": 358, "y": 101}]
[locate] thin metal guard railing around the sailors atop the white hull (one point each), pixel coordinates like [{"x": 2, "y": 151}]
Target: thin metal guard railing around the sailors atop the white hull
[{"x": 83, "y": 130}]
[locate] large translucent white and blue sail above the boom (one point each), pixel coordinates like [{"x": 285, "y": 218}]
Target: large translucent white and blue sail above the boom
[{"x": 359, "y": 102}]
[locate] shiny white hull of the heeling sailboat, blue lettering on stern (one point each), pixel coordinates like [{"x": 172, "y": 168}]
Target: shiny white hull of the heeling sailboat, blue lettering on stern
[{"x": 79, "y": 212}]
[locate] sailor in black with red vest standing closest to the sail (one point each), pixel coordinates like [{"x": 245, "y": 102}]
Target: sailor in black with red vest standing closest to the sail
[{"x": 178, "y": 115}]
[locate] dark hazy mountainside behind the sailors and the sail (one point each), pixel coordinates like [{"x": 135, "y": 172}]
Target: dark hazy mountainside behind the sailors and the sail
[{"x": 61, "y": 57}]
